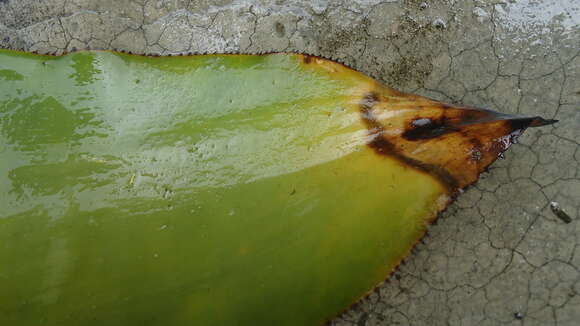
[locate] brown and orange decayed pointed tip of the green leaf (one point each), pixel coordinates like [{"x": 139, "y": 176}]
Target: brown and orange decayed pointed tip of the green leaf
[{"x": 453, "y": 144}]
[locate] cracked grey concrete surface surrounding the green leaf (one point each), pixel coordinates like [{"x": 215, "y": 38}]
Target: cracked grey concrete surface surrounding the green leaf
[{"x": 499, "y": 256}]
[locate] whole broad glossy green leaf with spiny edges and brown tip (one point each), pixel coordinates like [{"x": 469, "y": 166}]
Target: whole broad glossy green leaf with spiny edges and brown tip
[{"x": 217, "y": 189}]
